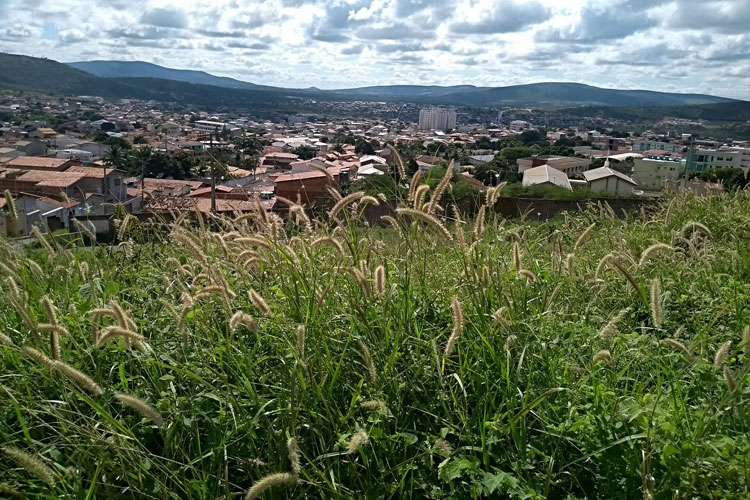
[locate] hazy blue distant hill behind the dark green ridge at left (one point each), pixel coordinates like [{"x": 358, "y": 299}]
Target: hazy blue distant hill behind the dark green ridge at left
[{"x": 139, "y": 69}]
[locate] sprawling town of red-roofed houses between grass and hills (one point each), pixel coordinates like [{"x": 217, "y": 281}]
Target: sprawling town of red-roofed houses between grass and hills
[{"x": 87, "y": 155}]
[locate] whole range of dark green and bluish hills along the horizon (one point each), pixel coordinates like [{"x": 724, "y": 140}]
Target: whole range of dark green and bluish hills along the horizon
[{"x": 139, "y": 80}]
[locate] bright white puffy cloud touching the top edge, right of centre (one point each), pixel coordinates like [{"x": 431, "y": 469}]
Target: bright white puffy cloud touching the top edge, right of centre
[{"x": 505, "y": 17}]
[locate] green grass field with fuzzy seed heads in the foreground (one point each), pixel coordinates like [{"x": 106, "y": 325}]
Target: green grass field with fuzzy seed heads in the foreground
[{"x": 584, "y": 357}]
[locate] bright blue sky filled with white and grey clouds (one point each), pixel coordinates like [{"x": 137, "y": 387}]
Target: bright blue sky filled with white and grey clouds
[{"x": 700, "y": 46}]
